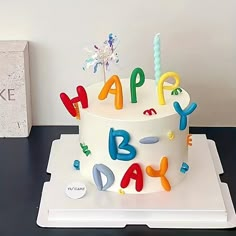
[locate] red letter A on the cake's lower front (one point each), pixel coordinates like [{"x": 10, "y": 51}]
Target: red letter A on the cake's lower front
[{"x": 130, "y": 174}]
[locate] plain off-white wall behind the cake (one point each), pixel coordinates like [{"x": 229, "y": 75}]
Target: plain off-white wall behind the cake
[{"x": 198, "y": 41}]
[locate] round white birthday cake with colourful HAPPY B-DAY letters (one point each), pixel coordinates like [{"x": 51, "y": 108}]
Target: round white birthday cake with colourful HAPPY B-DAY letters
[{"x": 133, "y": 132}]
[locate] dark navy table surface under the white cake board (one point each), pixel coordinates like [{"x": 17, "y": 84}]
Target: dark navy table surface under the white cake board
[{"x": 23, "y": 163}]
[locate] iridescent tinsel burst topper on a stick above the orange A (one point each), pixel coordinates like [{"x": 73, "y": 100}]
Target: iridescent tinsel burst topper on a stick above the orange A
[{"x": 103, "y": 56}]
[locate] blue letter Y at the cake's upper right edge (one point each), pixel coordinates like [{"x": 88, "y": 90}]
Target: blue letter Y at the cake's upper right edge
[{"x": 184, "y": 113}]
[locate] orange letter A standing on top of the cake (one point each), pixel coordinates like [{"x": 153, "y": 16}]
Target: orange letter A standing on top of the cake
[{"x": 117, "y": 91}]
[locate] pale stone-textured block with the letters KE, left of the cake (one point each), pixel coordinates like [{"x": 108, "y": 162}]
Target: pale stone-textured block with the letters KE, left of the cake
[{"x": 15, "y": 99}]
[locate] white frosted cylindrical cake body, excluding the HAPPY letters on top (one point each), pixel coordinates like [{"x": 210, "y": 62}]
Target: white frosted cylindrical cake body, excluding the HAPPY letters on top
[{"x": 153, "y": 139}]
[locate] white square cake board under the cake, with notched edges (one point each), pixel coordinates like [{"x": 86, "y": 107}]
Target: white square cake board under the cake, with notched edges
[{"x": 199, "y": 201}]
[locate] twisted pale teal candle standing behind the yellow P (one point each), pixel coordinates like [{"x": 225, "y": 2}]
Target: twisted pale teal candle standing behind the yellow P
[{"x": 157, "y": 57}]
